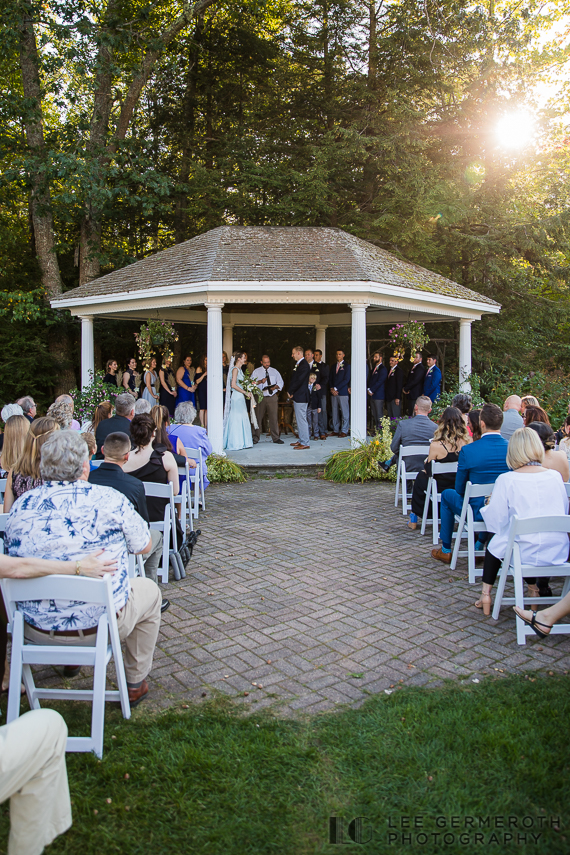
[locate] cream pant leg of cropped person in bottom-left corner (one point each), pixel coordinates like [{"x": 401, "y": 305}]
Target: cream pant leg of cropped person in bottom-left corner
[{"x": 33, "y": 776}]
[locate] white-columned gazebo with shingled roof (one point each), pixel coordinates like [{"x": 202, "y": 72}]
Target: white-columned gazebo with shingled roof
[{"x": 276, "y": 276}]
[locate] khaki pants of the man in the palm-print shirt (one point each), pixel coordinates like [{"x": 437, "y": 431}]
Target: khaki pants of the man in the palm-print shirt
[{"x": 138, "y": 623}]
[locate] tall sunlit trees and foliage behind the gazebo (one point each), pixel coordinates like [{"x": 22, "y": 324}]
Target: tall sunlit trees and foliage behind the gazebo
[{"x": 128, "y": 125}]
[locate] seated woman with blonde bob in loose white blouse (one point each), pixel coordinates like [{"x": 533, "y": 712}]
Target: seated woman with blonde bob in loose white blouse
[{"x": 529, "y": 490}]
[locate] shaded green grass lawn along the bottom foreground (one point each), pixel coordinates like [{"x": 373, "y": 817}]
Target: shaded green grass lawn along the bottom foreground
[{"x": 211, "y": 780}]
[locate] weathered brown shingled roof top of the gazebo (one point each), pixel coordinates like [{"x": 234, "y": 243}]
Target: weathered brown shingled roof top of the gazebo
[{"x": 268, "y": 255}]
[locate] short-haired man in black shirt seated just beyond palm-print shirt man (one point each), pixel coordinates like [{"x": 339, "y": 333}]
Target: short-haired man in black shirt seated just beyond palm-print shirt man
[{"x": 110, "y": 474}]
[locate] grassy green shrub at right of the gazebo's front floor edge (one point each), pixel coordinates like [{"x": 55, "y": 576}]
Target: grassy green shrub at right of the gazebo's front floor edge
[{"x": 362, "y": 463}]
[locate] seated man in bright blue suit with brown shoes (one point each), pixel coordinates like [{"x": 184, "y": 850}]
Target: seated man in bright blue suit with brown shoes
[{"x": 480, "y": 462}]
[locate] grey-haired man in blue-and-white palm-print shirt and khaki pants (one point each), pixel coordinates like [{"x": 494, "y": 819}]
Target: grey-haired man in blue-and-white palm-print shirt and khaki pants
[{"x": 66, "y": 519}]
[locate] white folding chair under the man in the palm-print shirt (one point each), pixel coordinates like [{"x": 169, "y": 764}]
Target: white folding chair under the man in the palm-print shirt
[{"x": 107, "y": 645}]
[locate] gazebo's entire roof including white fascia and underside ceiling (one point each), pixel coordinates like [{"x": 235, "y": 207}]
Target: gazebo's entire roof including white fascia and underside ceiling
[{"x": 256, "y": 270}]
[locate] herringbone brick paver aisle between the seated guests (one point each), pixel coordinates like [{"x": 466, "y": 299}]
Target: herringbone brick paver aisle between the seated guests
[{"x": 319, "y": 594}]
